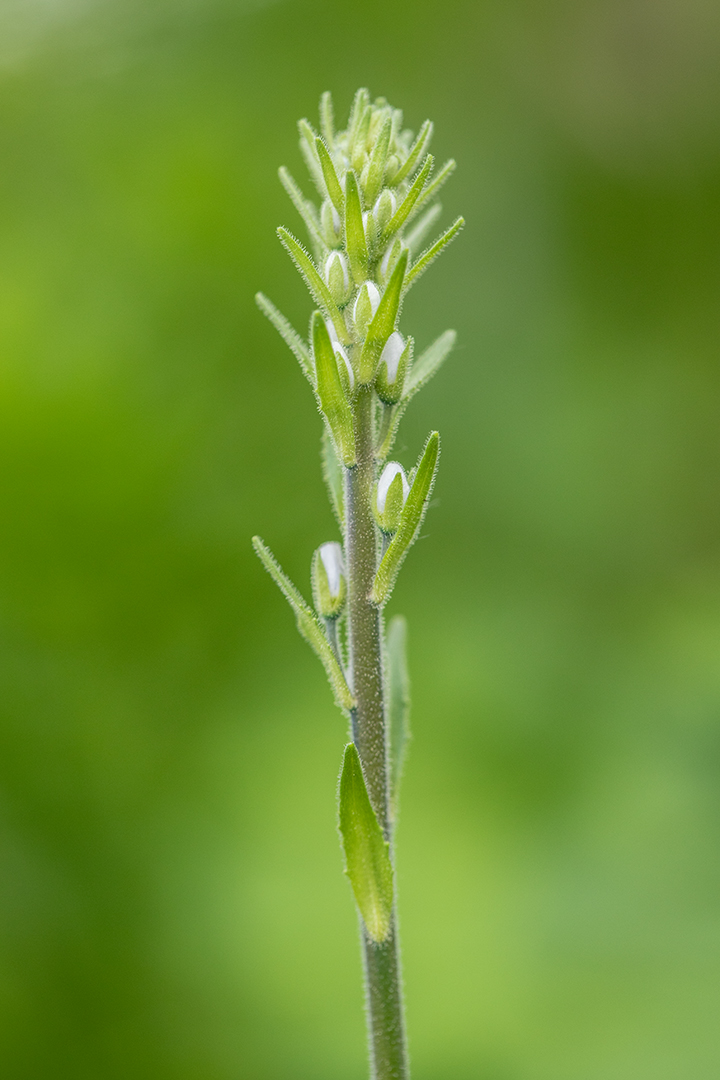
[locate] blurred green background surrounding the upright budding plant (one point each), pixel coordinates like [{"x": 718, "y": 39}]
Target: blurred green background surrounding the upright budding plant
[{"x": 171, "y": 899}]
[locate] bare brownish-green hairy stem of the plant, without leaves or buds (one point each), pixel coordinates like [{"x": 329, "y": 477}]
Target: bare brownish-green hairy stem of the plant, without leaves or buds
[{"x": 382, "y": 962}]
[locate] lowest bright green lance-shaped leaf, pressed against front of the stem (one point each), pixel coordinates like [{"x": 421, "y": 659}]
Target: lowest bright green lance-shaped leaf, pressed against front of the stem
[{"x": 368, "y": 853}]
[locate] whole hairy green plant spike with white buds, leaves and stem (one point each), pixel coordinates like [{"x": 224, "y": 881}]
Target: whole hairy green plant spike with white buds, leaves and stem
[{"x": 378, "y": 204}]
